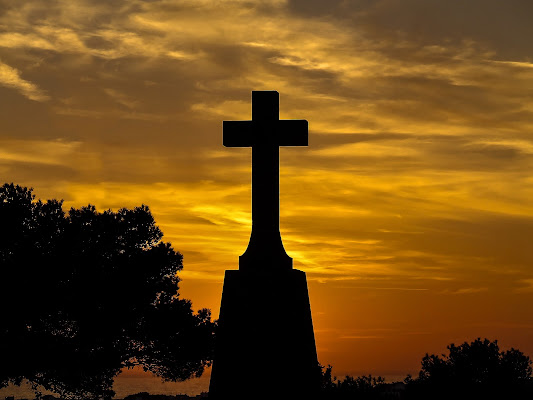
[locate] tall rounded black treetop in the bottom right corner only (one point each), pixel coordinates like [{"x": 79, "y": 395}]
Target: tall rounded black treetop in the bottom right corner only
[{"x": 473, "y": 370}]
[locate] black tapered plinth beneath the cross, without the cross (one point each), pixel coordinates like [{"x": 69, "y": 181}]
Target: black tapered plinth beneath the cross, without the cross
[{"x": 265, "y": 345}]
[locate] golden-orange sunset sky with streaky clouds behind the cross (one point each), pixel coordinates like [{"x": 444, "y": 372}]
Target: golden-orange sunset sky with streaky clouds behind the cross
[{"x": 411, "y": 210}]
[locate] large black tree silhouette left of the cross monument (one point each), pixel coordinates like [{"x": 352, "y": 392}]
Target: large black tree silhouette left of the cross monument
[{"x": 86, "y": 294}]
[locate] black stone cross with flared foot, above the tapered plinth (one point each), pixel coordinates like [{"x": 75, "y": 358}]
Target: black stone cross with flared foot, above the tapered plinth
[{"x": 265, "y": 133}]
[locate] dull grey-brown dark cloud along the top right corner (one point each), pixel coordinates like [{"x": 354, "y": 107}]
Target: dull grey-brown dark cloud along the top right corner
[{"x": 502, "y": 27}]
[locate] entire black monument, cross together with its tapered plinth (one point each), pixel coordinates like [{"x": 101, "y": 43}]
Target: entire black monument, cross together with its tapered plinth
[{"x": 265, "y": 344}]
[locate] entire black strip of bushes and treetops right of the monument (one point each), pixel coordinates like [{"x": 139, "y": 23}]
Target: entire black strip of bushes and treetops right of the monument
[{"x": 476, "y": 370}]
